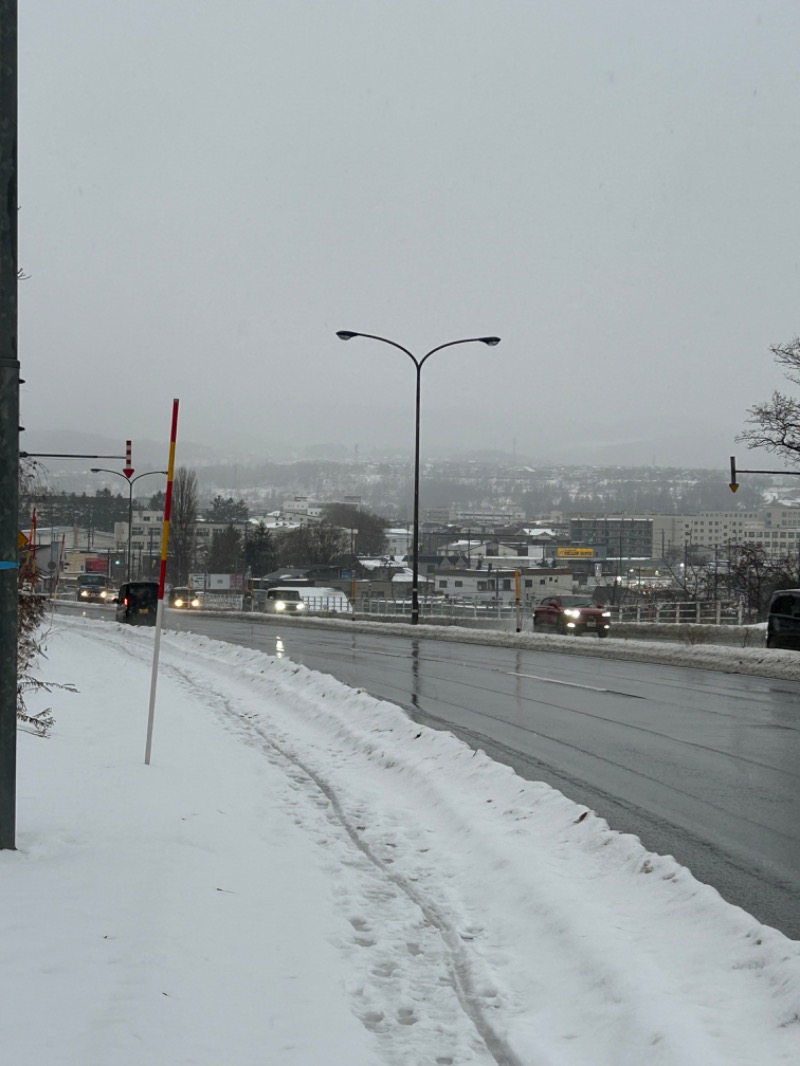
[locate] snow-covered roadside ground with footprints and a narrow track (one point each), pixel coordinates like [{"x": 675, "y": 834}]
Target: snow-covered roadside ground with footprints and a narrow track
[{"x": 306, "y": 877}]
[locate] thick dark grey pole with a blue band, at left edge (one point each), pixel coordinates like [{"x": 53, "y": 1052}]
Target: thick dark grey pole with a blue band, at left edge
[{"x": 9, "y": 424}]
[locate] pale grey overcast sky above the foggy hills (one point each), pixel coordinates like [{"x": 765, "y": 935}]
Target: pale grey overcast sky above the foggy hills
[{"x": 211, "y": 189}]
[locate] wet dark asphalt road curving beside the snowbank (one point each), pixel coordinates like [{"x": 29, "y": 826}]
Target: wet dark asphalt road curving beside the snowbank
[{"x": 699, "y": 765}]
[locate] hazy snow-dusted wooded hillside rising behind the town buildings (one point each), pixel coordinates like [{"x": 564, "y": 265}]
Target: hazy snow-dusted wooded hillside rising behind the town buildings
[{"x": 500, "y": 484}]
